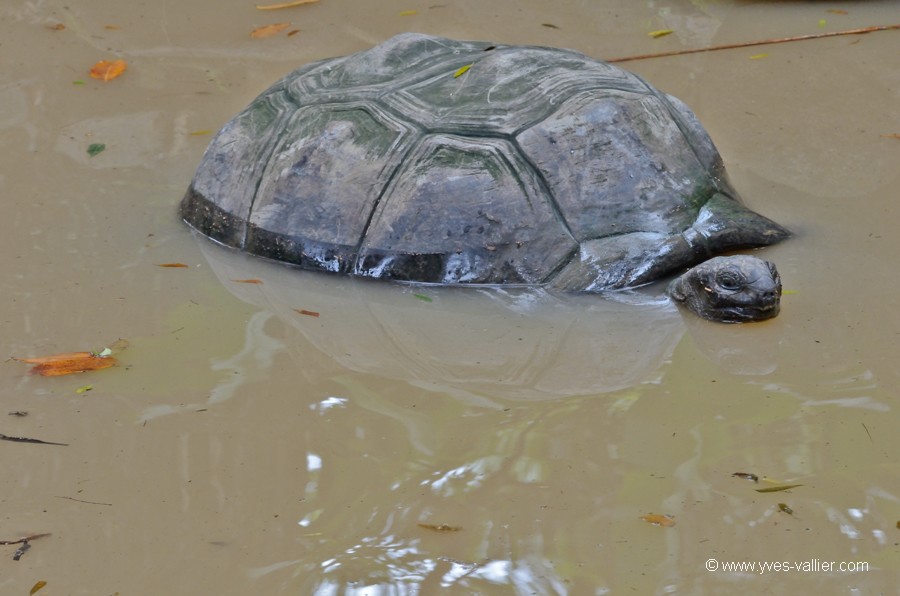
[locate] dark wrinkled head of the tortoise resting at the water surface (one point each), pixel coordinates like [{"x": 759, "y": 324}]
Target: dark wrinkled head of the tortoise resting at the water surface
[{"x": 732, "y": 289}]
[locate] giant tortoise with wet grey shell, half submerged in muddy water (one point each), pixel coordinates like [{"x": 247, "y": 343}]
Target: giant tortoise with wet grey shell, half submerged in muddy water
[{"x": 425, "y": 159}]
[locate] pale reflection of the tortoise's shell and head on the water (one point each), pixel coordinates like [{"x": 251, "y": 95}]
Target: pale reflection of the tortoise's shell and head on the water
[{"x": 481, "y": 344}]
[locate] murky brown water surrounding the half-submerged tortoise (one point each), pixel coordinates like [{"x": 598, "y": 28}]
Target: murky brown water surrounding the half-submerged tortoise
[{"x": 242, "y": 447}]
